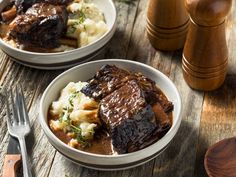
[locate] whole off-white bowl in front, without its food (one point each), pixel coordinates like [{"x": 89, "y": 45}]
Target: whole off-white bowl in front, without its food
[{"x": 109, "y": 162}]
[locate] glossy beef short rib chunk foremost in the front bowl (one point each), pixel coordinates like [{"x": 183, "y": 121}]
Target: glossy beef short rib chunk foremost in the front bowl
[{"x": 128, "y": 117}]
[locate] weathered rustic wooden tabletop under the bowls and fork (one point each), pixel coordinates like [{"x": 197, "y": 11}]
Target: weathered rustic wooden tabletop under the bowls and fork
[{"x": 207, "y": 116}]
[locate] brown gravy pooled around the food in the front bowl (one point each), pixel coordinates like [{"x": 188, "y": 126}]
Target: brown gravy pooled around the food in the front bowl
[{"x": 102, "y": 144}]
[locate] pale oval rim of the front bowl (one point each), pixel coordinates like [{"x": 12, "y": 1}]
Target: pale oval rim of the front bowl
[{"x": 50, "y": 135}]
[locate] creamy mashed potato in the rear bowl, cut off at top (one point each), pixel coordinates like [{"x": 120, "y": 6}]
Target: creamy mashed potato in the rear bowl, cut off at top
[{"x": 86, "y": 22}]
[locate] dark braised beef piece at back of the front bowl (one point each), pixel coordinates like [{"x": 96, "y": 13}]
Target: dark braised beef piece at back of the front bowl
[{"x": 110, "y": 78}]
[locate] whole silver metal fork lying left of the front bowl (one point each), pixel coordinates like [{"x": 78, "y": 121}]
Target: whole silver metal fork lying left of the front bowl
[{"x": 18, "y": 124}]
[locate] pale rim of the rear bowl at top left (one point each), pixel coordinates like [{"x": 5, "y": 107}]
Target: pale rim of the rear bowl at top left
[{"x": 113, "y": 26}]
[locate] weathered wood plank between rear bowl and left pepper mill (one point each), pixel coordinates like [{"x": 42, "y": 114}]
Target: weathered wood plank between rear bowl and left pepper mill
[{"x": 140, "y": 48}]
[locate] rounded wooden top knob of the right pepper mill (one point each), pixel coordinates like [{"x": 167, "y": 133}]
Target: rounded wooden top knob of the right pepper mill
[{"x": 208, "y": 12}]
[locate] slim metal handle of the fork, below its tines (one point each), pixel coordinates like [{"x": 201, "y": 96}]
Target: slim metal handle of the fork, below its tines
[{"x": 25, "y": 162}]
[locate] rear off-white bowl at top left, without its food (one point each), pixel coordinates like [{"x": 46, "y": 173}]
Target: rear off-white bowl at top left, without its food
[{"x": 49, "y": 59}]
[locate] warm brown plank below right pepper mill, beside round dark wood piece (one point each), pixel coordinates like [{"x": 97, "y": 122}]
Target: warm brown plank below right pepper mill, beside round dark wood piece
[{"x": 218, "y": 120}]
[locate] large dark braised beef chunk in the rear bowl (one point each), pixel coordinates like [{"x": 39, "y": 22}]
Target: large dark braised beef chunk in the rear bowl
[{"x": 42, "y": 25}]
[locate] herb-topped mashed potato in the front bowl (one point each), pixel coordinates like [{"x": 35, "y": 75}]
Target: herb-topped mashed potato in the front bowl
[{"x": 75, "y": 114}]
